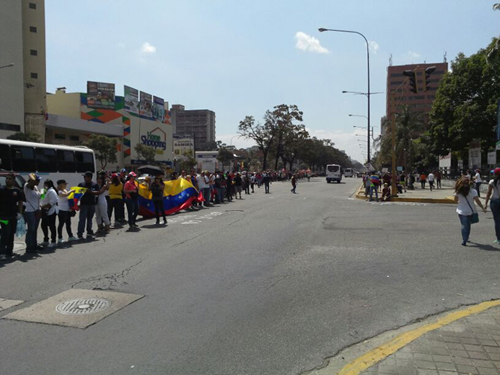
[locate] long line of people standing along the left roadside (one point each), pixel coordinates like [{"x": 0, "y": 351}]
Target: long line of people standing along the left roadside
[{"x": 106, "y": 198}]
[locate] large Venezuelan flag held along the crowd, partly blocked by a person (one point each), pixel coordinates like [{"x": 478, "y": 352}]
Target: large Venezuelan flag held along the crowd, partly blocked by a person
[{"x": 177, "y": 195}]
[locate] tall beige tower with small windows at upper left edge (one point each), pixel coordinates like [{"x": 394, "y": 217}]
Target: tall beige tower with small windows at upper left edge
[{"x": 23, "y": 72}]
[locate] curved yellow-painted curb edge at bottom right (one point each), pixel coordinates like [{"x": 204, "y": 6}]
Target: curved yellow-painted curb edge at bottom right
[{"x": 378, "y": 354}]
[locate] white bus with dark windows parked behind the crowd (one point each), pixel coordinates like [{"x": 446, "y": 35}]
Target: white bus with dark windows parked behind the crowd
[{"x": 55, "y": 162}]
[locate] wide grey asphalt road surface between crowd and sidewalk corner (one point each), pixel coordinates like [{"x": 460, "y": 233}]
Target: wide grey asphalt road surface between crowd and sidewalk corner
[{"x": 271, "y": 284}]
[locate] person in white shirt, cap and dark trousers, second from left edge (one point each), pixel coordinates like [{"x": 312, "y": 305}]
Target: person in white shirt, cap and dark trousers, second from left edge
[{"x": 32, "y": 212}]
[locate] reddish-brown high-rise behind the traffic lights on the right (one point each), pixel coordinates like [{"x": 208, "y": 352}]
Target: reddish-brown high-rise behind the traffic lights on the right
[{"x": 417, "y": 102}]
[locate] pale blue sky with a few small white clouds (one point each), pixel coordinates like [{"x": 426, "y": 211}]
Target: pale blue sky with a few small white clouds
[{"x": 241, "y": 58}]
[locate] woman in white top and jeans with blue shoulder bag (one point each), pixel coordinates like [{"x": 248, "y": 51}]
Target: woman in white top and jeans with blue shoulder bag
[{"x": 465, "y": 196}]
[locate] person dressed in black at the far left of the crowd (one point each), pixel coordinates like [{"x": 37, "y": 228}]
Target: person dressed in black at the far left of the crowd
[{"x": 11, "y": 207}]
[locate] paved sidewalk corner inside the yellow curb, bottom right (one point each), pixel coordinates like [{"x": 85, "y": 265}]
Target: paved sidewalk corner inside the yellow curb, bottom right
[{"x": 470, "y": 345}]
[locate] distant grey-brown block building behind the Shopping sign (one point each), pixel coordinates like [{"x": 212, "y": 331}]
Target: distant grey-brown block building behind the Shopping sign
[{"x": 199, "y": 122}]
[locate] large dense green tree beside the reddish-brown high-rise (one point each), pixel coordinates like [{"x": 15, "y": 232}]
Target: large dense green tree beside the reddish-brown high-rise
[{"x": 466, "y": 102}]
